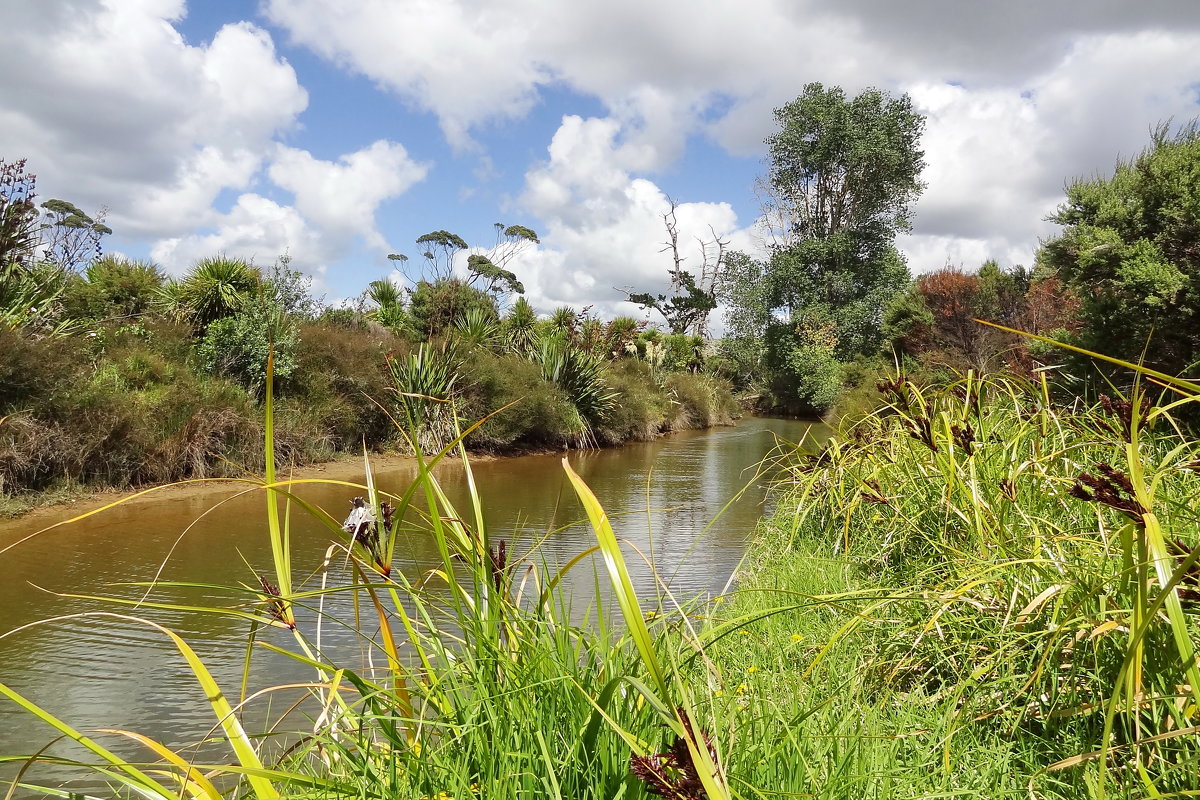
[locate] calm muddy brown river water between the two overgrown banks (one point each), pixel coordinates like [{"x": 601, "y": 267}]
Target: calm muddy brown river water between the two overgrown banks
[{"x": 101, "y": 672}]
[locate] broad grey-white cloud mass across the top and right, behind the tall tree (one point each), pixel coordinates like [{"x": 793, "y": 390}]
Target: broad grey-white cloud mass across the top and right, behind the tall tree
[{"x": 1021, "y": 97}]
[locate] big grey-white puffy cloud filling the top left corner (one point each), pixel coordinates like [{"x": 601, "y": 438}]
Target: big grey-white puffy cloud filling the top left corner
[{"x": 113, "y": 109}]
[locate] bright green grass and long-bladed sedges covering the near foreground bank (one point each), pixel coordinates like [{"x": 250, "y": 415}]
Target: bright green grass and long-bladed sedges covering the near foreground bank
[{"x": 976, "y": 592}]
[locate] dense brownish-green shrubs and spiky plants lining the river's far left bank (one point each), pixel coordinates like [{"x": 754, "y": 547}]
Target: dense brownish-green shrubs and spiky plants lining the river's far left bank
[{"x": 165, "y": 381}]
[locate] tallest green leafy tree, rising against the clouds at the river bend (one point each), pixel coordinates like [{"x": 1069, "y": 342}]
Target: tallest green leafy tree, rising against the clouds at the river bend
[{"x": 843, "y": 173}]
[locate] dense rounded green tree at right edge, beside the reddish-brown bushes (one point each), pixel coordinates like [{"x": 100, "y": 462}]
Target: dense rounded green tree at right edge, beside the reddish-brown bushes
[{"x": 1130, "y": 251}]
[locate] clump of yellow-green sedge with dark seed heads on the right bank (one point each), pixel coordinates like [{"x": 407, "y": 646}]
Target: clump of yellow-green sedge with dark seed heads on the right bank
[{"x": 1049, "y": 552}]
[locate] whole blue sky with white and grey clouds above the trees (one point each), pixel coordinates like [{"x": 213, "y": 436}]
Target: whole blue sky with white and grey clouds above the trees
[{"x": 338, "y": 133}]
